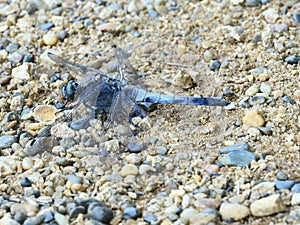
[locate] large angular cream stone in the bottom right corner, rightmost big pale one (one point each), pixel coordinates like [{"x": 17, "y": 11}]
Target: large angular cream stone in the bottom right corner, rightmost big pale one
[{"x": 267, "y": 206}]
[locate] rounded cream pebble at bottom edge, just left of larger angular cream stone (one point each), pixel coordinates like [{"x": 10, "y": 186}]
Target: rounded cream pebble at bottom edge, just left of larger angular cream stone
[{"x": 234, "y": 210}]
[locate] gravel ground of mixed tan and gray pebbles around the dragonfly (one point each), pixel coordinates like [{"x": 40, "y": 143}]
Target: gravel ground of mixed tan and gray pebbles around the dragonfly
[{"x": 191, "y": 164}]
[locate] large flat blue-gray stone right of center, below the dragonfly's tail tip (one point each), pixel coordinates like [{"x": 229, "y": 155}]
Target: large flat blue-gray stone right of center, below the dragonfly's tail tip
[{"x": 237, "y": 158}]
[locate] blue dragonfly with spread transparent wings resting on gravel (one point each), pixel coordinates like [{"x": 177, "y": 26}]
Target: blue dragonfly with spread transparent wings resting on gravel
[{"x": 120, "y": 96}]
